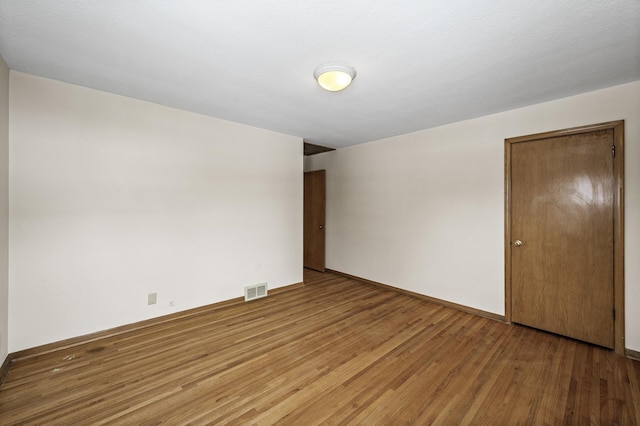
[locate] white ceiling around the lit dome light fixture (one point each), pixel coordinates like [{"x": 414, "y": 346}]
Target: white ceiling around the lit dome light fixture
[{"x": 420, "y": 63}]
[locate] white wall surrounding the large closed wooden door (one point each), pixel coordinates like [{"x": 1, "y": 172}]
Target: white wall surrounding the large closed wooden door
[{"x": 425, "y": 211}]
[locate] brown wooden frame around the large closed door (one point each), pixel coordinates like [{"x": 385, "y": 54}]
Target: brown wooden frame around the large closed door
[{"x": 618, "y": 219}]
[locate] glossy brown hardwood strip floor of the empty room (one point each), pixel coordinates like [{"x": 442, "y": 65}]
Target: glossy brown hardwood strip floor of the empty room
[{"x": 334, "y": 352}]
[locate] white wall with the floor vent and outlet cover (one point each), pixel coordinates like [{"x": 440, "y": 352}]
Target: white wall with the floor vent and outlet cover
[{"x": 112, "y": 198}]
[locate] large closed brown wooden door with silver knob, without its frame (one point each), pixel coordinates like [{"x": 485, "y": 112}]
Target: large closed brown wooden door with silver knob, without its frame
[{"x": 562, "y": 235}]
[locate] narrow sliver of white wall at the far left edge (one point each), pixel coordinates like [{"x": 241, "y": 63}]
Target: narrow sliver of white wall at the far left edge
[{"x": 4, "y": 209}]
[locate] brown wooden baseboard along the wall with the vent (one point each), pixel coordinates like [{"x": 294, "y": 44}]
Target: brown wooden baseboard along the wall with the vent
[{"x": 92, "y": 337}]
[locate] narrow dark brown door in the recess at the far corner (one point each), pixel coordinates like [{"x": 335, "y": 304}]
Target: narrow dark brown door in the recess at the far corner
[{"x": 314, "y": 195}]
